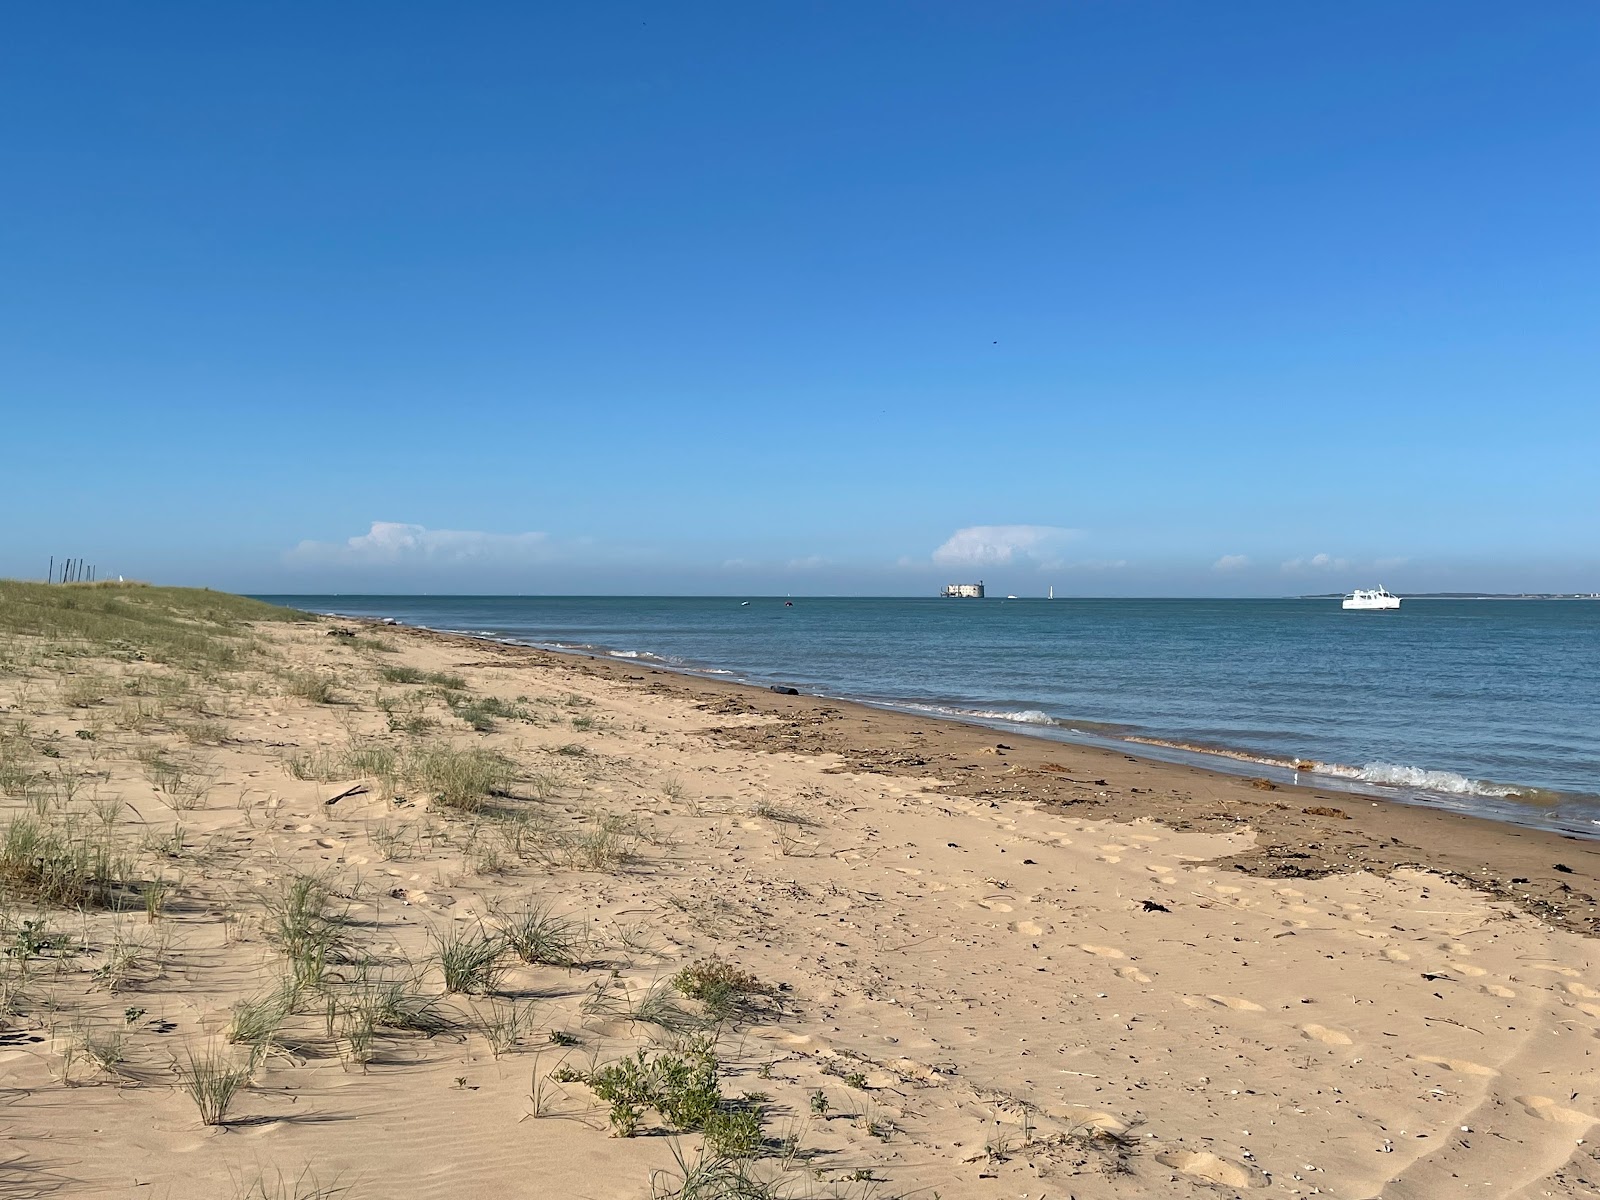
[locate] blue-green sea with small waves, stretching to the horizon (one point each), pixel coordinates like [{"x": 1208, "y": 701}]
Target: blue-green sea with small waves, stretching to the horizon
[{"x": 1484, "y": 706}]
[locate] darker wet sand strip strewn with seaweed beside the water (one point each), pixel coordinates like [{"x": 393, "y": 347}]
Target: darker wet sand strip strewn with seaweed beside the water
[{"x": 1546, "y": 873}]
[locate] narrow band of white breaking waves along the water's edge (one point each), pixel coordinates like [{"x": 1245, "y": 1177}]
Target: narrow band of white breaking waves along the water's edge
[{"x": 1436, "y": 790}]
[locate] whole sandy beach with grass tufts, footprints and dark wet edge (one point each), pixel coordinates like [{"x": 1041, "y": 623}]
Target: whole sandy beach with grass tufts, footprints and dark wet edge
[{"x": 412, "y": 898}]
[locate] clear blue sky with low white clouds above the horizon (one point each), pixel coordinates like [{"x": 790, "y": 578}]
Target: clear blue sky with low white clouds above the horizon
[{"x": 1124, "y": 298}]
